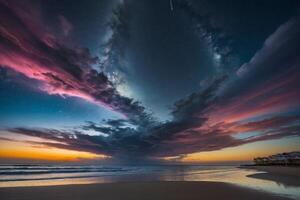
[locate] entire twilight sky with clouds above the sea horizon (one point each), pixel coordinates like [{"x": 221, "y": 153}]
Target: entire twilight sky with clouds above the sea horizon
[{"x": 151, "y": 81}]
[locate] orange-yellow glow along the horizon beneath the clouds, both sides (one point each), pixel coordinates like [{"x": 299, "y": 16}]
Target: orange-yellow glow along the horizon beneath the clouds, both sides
[{"x": 23, "y": 150}]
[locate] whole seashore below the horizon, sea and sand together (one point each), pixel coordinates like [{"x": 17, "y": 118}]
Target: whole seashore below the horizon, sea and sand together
[{"x": 148, "y": 182}]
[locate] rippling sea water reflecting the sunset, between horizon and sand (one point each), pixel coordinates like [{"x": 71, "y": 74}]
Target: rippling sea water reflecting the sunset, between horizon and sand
[{"x": 13, "y": 176}]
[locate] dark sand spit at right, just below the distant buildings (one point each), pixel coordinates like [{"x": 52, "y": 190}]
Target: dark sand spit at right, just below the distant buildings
[{"x": 289, "y": 176}]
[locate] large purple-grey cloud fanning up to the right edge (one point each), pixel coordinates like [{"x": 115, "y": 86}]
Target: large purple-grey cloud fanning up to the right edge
[{"x": 268, "y": 83}]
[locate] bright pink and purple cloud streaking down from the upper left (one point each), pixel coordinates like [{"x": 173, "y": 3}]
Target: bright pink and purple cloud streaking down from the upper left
[{"x": 37, "y": 54}]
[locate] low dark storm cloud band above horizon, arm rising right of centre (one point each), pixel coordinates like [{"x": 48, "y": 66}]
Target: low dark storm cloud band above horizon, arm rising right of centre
[{"x": 184, "y": 134}]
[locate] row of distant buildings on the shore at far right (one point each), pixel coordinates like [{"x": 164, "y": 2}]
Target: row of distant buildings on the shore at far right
[{"x": 291, "y": 158}]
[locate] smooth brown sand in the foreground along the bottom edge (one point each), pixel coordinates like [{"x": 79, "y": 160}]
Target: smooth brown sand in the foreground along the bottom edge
[{"x": 136, "y": 191}]
